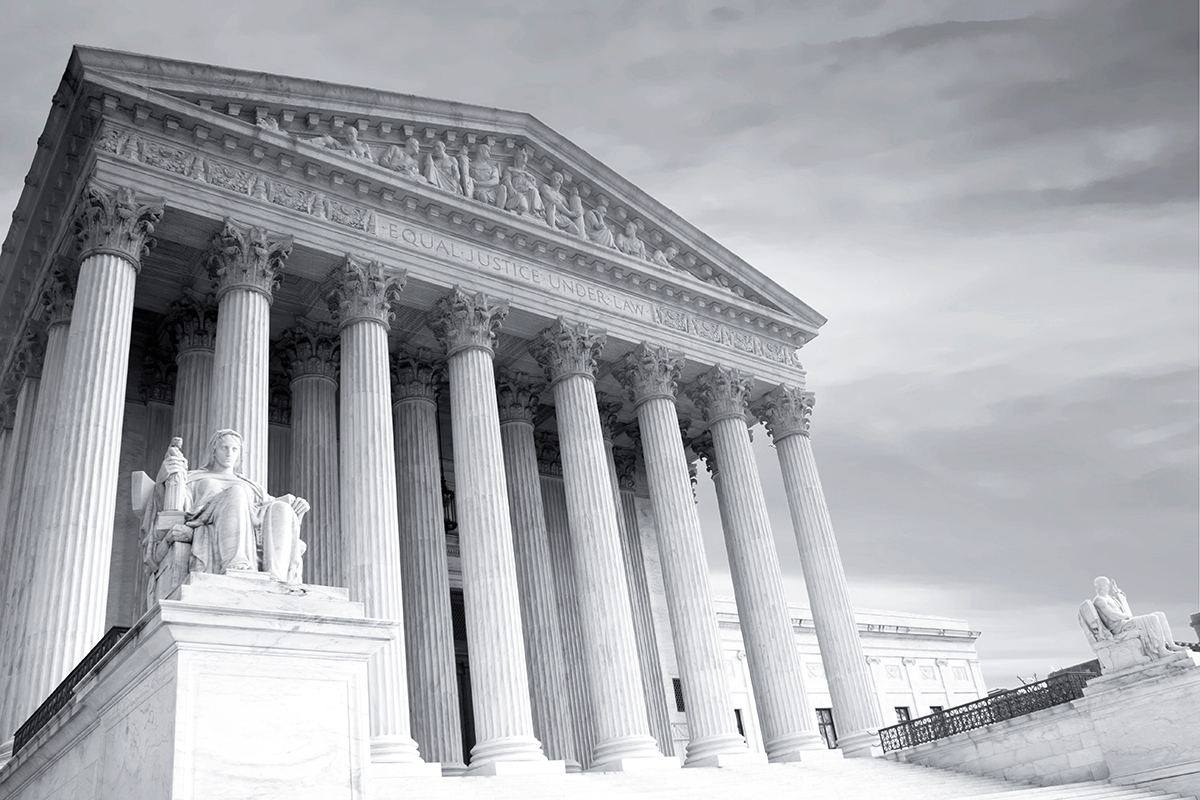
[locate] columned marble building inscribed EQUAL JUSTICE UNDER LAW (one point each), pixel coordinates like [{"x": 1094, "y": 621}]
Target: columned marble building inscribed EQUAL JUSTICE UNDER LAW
[{"x": 489, "y": 364}]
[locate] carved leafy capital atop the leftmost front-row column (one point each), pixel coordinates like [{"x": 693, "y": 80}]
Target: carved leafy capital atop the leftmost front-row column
[{"x": 117, "y": 221}]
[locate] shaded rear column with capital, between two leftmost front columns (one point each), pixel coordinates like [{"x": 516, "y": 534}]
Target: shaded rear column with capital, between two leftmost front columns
[{"x": 193, "y": 326}]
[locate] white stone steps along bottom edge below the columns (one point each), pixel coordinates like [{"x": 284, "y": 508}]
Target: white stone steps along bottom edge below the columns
[{"x": 861, "y": 779}]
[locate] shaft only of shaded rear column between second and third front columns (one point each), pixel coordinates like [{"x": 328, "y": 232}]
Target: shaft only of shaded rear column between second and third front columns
[{"x": 315, "y": 476}]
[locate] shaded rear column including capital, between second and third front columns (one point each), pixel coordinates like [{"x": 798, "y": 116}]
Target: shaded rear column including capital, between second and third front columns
[{"x": 310, "y": 354}]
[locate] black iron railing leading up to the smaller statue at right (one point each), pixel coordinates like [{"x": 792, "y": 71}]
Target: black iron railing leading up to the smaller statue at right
[{"x": 985, "y": 712}]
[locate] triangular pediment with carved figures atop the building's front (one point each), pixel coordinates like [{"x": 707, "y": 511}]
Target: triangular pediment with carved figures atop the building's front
[{"x": 371, "y": 130}]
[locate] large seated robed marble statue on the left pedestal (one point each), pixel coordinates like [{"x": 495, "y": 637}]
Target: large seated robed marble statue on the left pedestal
[{"x": 229, "y": 518}]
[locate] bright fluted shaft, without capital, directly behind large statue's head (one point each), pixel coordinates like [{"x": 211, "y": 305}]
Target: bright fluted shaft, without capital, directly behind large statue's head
[{"x": 241, "y": 376}]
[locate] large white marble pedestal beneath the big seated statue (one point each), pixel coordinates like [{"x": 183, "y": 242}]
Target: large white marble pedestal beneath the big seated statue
[{"x": 237, "y": 687}]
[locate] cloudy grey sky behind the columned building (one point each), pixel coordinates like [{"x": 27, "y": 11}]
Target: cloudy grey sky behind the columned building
[{"x": 994, "y": 203}]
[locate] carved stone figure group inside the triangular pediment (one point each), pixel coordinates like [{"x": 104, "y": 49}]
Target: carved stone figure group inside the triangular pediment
[{"x": 513, "y": 189}]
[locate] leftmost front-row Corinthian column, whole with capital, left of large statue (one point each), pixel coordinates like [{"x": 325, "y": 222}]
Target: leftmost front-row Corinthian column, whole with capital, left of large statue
[{"x": 76, "y": 528}]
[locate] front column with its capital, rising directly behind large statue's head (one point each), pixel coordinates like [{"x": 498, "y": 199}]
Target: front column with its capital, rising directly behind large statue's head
[{"x": 247, "y": 263}]
